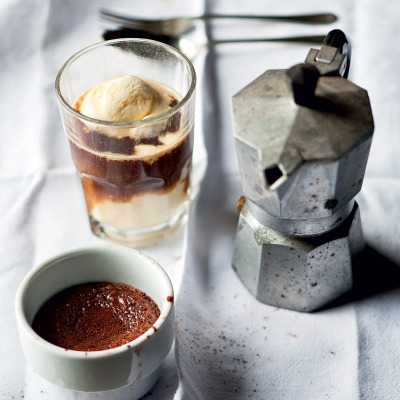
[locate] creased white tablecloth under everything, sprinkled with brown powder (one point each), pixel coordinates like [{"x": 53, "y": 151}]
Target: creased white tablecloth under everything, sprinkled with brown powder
[{"x": 228, "y": 345}]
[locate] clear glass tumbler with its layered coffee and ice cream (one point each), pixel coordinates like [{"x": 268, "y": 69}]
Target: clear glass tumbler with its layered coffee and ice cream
[{"x": 127, "y": 107}]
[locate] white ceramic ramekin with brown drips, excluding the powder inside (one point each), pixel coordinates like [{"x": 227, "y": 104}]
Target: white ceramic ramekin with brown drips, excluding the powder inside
[{"x": 134, "y": 366}]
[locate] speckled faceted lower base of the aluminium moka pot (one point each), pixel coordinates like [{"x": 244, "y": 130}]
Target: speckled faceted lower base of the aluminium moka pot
[{"x": 292, "y": 272}]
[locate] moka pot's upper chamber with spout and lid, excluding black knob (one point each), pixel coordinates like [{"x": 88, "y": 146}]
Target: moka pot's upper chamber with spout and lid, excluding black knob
[{"x": 294, "y": 160}]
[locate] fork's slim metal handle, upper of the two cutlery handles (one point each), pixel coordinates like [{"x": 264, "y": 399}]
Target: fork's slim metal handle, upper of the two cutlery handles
[{"x": 325, "y": 18}]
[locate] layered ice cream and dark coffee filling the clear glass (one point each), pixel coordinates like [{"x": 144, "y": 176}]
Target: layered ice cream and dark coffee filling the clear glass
[{"x": 134, "y": 175}]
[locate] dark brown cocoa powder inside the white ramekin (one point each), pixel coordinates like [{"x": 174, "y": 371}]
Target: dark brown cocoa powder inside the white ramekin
[{"x": 96, "y": 316}]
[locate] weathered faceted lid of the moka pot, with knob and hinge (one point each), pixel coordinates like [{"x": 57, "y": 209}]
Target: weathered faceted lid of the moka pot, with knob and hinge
[{"x": 306, "y": 113}]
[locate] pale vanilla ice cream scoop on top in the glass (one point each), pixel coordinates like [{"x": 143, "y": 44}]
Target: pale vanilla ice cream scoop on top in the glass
[{"x": 121, "y": 99}]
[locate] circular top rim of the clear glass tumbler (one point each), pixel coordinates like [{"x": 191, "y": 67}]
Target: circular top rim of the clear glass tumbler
[{"x": 134, "y": 123}]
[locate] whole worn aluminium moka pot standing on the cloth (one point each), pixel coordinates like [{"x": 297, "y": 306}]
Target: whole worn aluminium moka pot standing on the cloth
[{"x": 302, "y": 138}]
